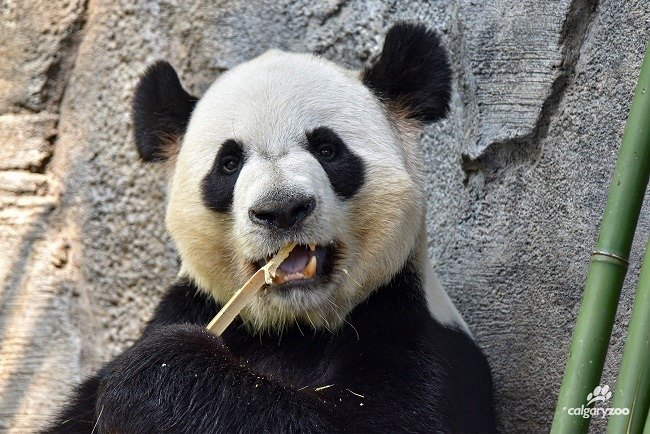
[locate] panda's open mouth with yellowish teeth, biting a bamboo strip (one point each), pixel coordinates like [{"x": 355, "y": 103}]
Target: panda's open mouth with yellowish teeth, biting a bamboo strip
[{"x": 304, "y": 263}]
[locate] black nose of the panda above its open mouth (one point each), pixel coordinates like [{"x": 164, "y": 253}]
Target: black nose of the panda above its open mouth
[{"x": 283, "y": 214}]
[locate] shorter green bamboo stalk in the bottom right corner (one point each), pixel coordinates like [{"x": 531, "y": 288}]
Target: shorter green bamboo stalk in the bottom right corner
[{"x": 633, "y": 385}]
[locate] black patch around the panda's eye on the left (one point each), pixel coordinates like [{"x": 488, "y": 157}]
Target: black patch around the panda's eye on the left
[{"x": 218, "y": 185}]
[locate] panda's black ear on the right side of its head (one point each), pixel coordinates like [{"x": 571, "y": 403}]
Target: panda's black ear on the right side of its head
[{"x": 412, "y": 73}]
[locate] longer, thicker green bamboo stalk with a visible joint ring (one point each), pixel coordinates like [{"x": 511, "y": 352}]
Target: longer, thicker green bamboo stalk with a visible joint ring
[{"x": 608, "y": 263}]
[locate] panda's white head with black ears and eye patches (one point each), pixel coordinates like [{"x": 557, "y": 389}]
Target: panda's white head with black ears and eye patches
[{"x": 293, "y": 148}]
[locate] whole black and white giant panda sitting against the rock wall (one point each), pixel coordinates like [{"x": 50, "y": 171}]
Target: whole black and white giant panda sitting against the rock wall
[{"x": 292, "y": 148}]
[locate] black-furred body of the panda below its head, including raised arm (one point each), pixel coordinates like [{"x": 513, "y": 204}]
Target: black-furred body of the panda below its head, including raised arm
[{"x": 392, "y": 368}]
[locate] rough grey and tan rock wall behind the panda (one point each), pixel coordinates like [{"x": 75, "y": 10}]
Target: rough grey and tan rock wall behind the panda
[{"x": 517, "y": 175}]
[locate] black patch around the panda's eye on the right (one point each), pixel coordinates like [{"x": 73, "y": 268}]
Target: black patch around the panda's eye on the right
[{"x": 344, "y": 169}]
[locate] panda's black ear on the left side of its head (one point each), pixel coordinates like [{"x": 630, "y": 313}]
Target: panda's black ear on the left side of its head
[{"x": 161, "y": 111}]
